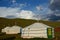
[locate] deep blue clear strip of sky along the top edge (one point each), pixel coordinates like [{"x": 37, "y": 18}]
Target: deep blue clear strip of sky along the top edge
[{"x": 8, "y": 3}]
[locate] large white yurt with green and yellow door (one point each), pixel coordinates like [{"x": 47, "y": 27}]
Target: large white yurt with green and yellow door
[{"x": 39, "y": 30}]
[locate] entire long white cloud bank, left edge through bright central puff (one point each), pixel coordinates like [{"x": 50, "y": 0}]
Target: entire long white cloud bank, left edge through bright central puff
[{"x": 16, "y": 12}]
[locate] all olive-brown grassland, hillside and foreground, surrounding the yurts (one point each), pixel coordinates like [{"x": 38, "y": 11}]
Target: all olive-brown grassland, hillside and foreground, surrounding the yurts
[{"x": 23, "y": 23}]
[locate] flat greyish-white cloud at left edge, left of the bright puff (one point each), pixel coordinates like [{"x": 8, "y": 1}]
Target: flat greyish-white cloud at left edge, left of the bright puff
[{"x": 4, "y": 11}]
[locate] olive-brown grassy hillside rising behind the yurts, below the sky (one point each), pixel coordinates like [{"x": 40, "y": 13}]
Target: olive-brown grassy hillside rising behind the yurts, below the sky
[{"x": 24, "y": 22}]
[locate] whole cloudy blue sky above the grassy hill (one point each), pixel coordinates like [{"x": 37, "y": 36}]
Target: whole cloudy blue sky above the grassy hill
[{"x": 30, "y": 9}]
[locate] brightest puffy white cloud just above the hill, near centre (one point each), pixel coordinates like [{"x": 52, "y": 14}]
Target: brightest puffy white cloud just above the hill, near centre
[{"x": 26, "y": 14}]
